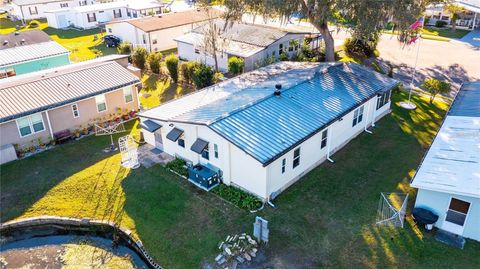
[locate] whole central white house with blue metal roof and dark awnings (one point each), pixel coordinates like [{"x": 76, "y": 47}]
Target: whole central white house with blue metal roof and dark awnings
[{"x": 263, "y": 130}]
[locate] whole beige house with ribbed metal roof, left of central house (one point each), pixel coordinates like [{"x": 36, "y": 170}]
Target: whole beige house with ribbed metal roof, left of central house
[{"x": 36, "y": 107}]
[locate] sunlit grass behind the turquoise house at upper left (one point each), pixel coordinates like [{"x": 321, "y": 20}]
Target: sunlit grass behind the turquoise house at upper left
[{"x": 83, "y": 44}]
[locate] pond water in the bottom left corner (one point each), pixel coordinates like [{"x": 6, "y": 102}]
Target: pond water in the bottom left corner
[{"x": 68, "y": 251}]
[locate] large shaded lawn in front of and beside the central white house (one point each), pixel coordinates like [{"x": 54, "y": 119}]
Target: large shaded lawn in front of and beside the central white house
[{"x": 324, "y": 220}]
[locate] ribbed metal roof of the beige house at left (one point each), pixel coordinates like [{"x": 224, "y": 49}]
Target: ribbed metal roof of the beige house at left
[{"x": 30, "y": 93}]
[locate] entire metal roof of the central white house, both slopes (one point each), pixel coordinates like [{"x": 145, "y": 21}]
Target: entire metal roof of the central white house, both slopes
[{"x": 263, "y": 125}]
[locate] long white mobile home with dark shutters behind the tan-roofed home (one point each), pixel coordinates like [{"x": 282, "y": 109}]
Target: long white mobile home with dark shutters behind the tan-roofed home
[{"x": 92, "y": 16}]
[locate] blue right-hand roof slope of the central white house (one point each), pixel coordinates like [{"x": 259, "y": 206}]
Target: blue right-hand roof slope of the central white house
[{"x": 271, "y": 127}]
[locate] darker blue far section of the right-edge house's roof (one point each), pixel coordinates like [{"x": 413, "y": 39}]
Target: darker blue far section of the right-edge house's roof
[{"x": 467, "y": 101}]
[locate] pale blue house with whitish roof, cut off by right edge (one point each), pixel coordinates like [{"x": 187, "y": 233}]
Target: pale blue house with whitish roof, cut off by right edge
[{"x": 448, "y": 179}]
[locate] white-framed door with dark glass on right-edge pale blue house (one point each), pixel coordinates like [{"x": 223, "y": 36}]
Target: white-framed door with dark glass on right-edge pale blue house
[{"x": 456, "y": 216}]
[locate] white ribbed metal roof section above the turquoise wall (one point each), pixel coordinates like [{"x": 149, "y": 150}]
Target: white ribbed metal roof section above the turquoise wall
[{"x": 31, "y": 52}]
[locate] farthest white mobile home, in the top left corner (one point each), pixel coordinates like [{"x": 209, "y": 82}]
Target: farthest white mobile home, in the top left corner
[{"x": 35, "y": 9}]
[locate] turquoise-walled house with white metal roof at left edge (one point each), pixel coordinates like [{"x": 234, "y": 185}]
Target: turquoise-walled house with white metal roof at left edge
[{"x": 30, "y": 51}]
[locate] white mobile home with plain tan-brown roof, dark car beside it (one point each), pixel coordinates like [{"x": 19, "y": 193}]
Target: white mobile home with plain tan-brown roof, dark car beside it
[{"x": 157, "y": 33}]
